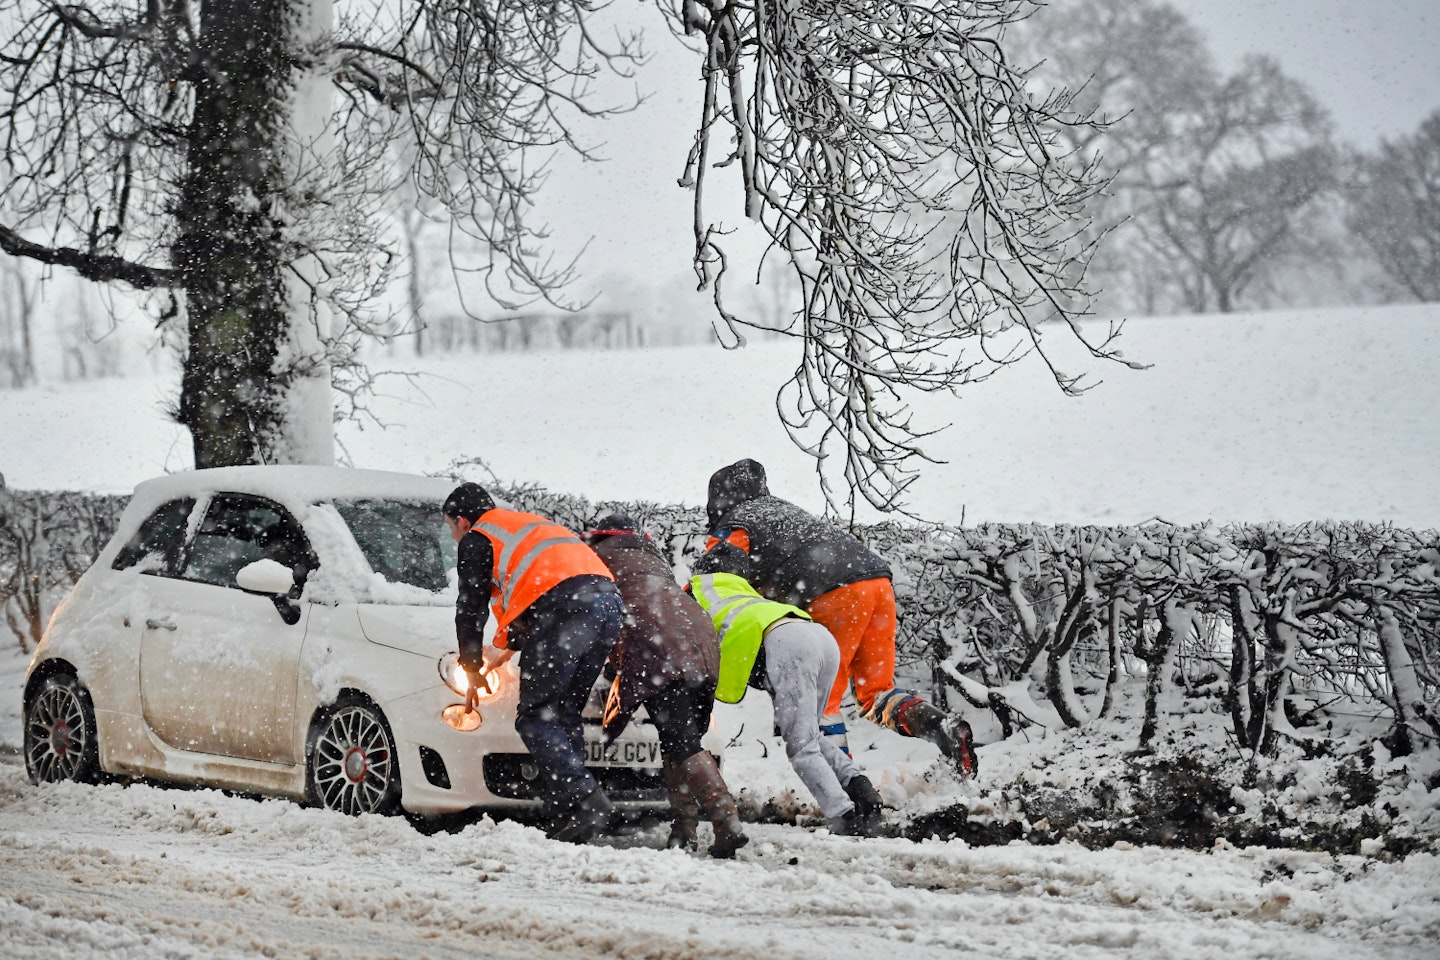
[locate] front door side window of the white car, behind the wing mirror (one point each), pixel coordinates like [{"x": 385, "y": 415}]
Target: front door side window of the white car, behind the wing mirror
[{"x": 237, "y": 532}]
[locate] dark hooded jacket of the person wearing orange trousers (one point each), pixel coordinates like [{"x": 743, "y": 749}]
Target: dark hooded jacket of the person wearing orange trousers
[{"x": 793, "y": 556}]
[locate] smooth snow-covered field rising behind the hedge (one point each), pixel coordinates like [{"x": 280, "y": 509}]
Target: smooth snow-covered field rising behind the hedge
[{"x": 1277, "y": 417}]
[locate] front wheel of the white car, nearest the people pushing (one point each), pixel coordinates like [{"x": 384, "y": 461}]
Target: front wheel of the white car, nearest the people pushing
[{"x": 352, "y": 766}]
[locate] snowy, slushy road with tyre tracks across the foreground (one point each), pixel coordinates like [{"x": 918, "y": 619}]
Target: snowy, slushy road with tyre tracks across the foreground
[{"x": 152, "y": 873}]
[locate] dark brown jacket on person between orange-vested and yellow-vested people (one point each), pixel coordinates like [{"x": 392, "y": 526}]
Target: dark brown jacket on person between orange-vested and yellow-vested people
[{"x": 667, "y": 637}]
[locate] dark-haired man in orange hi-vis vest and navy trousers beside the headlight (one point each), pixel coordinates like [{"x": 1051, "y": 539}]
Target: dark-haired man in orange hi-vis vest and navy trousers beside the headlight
[{"x": 558, "y": 608}]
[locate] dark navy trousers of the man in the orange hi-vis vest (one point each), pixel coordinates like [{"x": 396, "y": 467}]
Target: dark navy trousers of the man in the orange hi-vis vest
[{"x": 562, "y": 658}]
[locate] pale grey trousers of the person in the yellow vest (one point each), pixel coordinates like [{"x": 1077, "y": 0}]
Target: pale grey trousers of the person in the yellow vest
[{"x": 801, "y": 661}]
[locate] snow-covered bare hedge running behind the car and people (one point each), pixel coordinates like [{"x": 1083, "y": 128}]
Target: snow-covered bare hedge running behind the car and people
[{"x": 1277, "y": 625}]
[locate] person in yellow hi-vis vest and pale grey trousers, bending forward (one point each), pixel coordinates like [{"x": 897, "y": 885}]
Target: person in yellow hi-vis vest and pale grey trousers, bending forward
[{"x": 780, "y": 648}]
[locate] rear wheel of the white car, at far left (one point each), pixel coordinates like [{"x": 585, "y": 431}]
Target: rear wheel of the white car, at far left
[{"x": 61, "y": 741}]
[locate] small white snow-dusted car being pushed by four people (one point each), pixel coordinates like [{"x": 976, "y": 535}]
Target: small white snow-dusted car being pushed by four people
[{"x": 290, "y": 631}]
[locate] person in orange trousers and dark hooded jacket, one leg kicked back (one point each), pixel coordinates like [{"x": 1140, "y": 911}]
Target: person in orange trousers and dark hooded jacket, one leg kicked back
[{"x": 796, "y": 558}]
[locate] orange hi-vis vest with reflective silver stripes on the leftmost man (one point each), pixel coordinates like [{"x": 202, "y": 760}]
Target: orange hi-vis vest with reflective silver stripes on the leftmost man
[{"x": 532, "y": 556}]
